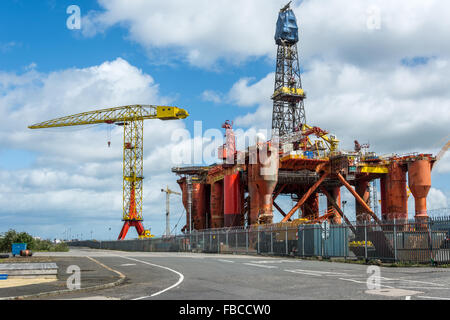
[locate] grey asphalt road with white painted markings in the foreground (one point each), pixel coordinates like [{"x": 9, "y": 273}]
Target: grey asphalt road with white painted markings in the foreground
[{"x": 185, "y": 276}]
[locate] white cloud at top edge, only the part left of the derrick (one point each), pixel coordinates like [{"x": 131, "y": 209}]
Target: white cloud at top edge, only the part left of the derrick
[{"x": 201, "y": 31}]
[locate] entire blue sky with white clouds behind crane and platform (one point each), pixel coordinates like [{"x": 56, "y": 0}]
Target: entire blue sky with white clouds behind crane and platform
[{"x": 376, "y": 71}]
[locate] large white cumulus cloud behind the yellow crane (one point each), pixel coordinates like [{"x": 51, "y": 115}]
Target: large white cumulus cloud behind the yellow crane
[{"x": 76, "y": 177}]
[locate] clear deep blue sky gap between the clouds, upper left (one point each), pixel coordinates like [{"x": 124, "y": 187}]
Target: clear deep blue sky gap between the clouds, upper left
[{"x": 35, "y": 33}]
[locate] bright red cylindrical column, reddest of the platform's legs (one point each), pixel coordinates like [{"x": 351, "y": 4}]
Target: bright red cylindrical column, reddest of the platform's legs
[{"x": 232, "y": 200}]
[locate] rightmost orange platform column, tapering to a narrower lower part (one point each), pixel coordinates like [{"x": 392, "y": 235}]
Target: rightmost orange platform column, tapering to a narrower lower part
[{"x": 419, "y": 177}]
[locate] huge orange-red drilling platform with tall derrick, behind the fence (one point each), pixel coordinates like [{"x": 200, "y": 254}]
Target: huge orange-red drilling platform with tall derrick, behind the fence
[{"x": 303, "y": 162}]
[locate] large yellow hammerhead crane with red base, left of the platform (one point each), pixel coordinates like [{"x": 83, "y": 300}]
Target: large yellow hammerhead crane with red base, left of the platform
[{"x": 132, "y": 119}]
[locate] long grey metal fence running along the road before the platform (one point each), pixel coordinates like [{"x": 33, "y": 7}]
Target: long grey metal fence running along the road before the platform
[{"x": 405, "y": 241}]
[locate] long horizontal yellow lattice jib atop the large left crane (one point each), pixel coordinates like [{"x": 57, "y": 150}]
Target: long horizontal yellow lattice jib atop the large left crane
[{"x": 113, "y": 115}]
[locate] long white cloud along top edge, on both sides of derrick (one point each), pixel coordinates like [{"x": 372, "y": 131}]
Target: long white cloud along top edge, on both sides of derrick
[{"x": 204, "y": 32}]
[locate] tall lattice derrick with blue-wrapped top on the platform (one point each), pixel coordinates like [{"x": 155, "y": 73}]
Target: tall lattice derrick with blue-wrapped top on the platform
[{"x": 288, "y": 109}]
